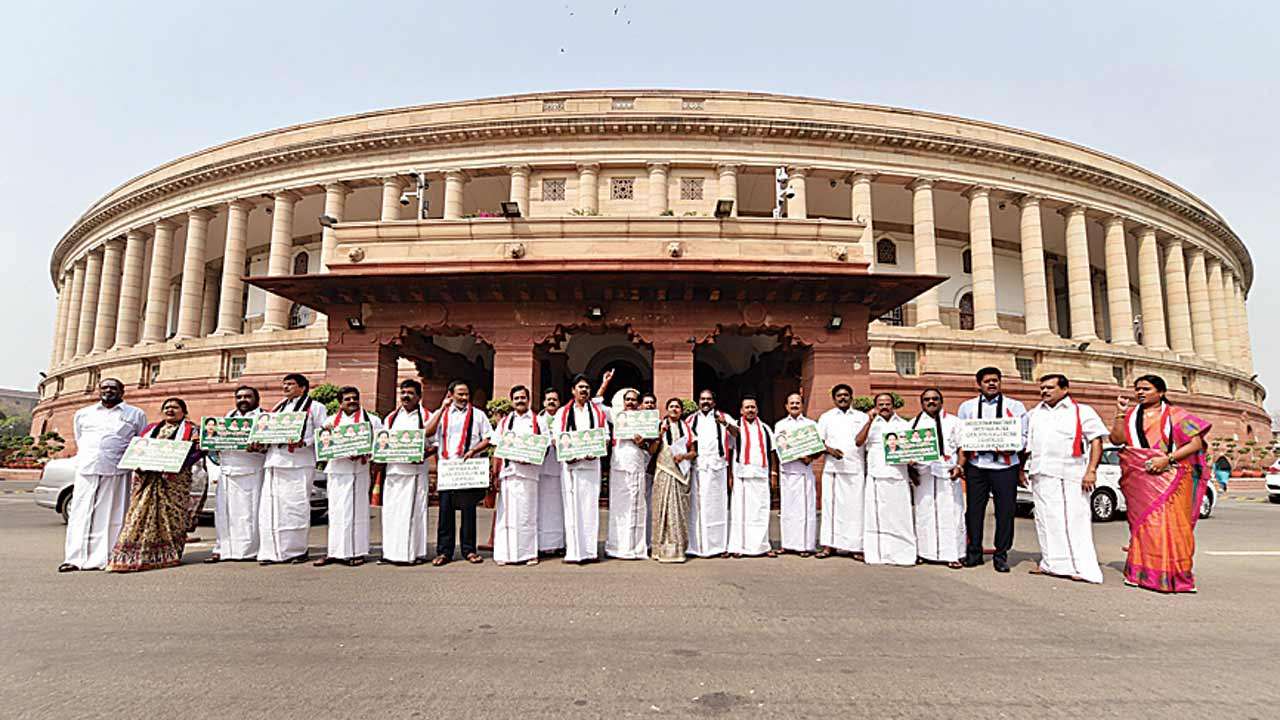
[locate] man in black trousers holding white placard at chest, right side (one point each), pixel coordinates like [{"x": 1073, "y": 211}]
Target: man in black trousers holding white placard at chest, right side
[{"x": 991, "y": 438}]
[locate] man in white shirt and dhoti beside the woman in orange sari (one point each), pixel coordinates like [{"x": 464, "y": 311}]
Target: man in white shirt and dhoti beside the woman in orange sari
[{"x": 1064, "y": 446}]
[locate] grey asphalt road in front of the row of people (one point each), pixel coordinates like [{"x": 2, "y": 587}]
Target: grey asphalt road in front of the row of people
[{"x": 757, "y": 639}]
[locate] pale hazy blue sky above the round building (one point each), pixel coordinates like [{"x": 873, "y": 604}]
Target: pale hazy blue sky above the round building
[{"x": 94, "y": 94}]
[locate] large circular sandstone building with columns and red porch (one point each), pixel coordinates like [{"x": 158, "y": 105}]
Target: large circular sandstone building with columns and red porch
[{"x": 572, "y": 233}]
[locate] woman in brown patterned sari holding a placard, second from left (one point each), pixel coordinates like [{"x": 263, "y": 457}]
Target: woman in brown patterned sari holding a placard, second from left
[{"x": 156, "y": 527}]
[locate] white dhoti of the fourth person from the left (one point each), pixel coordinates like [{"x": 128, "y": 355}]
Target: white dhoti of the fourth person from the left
[{"x": 285, "y": 513}]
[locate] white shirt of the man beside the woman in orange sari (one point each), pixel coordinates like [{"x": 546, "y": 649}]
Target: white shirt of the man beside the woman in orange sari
[{"x": 1052, "y": 439}]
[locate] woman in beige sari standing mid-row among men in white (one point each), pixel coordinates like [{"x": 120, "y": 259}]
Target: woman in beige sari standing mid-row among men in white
[{"x": 670, "y": 504}]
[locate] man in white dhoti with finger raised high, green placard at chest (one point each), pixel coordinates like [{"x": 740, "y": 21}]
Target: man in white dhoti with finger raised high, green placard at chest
[{"x": 580, "y": 480}]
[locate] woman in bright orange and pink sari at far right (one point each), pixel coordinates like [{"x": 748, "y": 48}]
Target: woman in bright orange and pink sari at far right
[{"x": 1164, "y": 477}]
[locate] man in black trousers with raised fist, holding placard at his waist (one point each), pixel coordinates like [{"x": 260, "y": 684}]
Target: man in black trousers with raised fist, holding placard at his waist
[{"x": 463, "y": 435}]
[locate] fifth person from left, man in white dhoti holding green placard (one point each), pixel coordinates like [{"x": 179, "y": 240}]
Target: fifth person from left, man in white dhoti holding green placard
[{"x": 348, "y": 471}]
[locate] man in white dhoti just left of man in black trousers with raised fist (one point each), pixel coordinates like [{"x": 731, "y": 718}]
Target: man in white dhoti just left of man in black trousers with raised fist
[{"x": 405, "y": 489}]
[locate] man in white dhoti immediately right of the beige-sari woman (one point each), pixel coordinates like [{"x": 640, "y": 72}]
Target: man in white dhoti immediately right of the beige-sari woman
[{"x": 714, "y": 435}]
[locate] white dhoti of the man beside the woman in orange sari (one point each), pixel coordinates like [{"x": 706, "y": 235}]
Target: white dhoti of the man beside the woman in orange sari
[{"x": 1064, "y": 526}]
